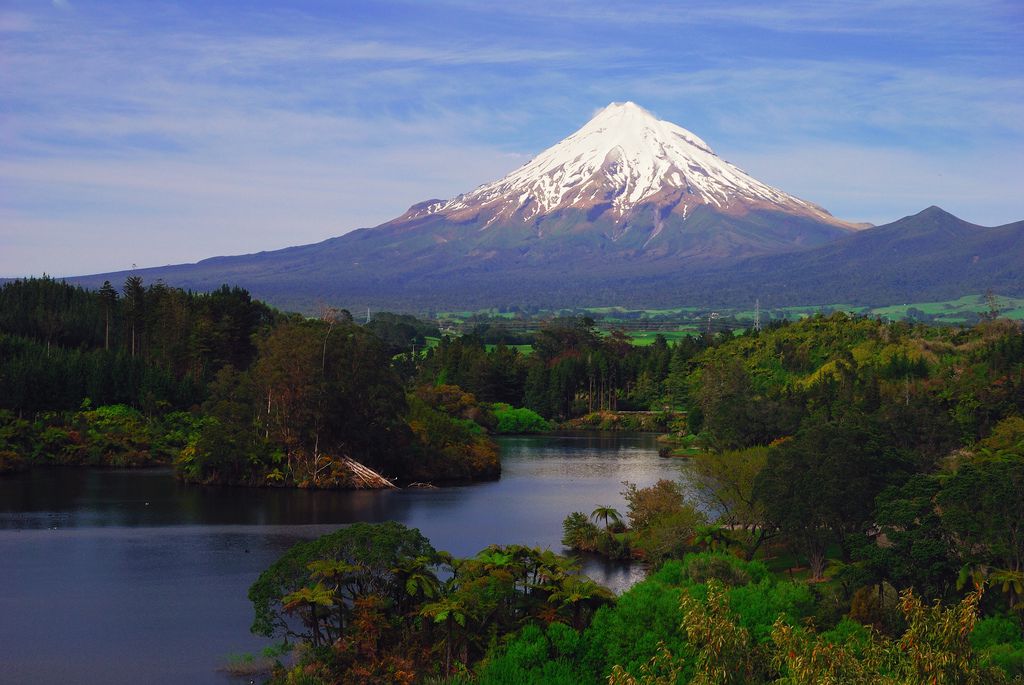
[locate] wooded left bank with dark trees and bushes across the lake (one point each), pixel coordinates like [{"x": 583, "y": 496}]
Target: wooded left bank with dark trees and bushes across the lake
[{"x": 225, "y": 389}]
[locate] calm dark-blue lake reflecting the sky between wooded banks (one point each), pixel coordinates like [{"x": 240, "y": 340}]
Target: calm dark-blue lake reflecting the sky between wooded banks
[{"x": 130, "y": 577}]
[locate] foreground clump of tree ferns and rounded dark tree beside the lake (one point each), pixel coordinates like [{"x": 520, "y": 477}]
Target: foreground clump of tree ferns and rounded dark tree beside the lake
[{"x": 379, "y": 605}]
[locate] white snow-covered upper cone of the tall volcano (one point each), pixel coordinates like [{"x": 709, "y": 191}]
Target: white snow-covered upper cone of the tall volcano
[{"x": 622, "y": 160}]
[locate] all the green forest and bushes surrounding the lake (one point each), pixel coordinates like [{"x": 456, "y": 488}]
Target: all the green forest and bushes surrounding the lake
[{"x": 851, "y": 507}]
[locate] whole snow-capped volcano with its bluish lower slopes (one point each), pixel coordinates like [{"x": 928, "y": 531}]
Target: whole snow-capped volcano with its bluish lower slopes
[{"x": 627, "y": 209}]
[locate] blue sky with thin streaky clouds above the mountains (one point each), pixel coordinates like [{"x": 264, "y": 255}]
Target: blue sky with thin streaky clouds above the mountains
[{"x": 162, "y": 133}]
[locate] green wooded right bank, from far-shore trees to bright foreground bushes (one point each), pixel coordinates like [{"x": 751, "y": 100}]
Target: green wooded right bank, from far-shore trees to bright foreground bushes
[{"x": 850, "y": 474}]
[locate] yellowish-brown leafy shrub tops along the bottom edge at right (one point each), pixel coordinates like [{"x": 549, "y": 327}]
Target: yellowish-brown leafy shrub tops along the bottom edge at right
[{"x": 935, "y": 648}]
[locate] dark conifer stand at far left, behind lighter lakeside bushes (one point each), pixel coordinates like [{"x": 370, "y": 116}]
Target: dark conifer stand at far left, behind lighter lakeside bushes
[{"x": 154, "y": 350}]
